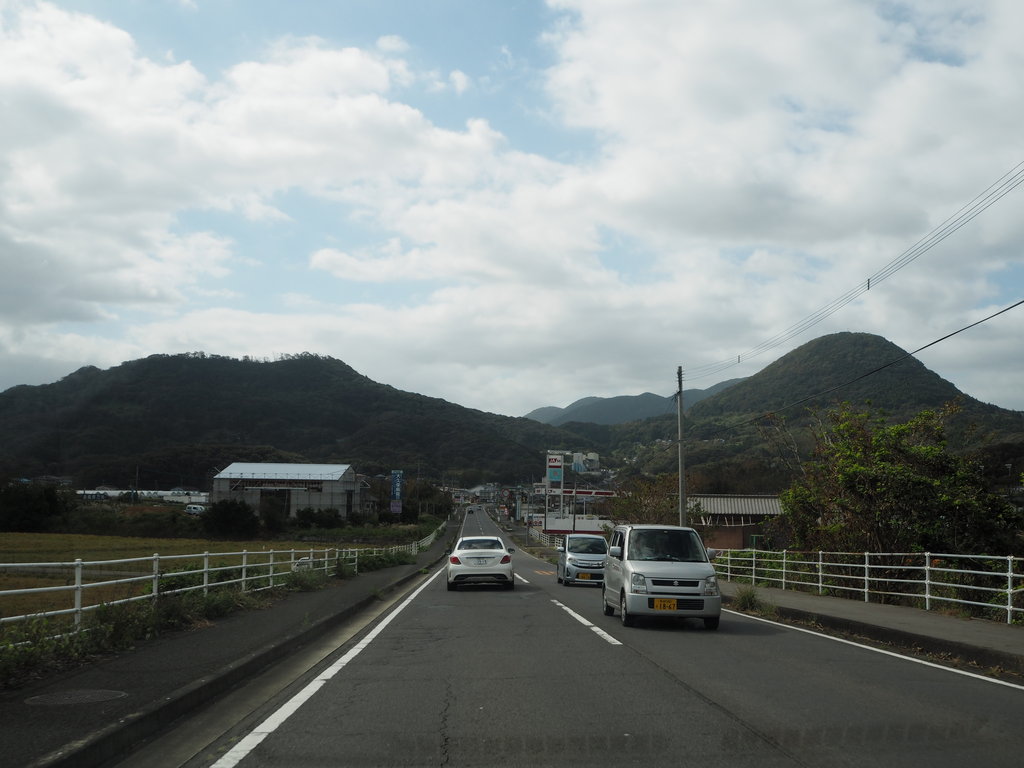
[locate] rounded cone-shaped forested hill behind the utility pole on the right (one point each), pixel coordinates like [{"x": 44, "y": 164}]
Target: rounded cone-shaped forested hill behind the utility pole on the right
[{"x": 732, "y": 448}]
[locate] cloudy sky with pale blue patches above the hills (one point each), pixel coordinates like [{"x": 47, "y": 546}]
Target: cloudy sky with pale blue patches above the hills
[{"x": 513, "y": 204}]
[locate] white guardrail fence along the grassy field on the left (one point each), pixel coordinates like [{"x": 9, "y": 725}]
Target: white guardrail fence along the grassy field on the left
[{"x": 135, "y": 579}]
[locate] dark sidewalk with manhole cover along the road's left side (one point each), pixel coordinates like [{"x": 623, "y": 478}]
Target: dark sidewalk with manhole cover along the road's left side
[{"x": 97, "y": 713}]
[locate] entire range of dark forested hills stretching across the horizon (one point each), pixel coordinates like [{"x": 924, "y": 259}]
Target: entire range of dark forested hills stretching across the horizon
[{"x": 175, "y": 420}]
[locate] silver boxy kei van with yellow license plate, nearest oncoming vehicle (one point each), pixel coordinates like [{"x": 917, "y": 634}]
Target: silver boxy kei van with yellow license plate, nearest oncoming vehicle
[{"x": 660, "y": 571}]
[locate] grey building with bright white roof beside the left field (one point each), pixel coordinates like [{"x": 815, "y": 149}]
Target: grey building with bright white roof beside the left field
[{"x": 289, "y": 487}]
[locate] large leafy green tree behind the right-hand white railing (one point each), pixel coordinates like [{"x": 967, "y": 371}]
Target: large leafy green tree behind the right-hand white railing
[{"x": 893, "y": 488}]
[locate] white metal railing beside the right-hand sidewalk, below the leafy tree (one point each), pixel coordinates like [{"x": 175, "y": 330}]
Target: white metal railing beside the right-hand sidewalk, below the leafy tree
[{"x": 990, "y": 587}]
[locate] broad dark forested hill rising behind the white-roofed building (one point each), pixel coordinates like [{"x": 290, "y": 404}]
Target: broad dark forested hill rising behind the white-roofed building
[{"x": 181, "y": 418}]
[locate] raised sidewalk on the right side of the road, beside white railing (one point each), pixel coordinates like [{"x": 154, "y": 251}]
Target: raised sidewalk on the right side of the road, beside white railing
[{"x": 988, "y": 646}]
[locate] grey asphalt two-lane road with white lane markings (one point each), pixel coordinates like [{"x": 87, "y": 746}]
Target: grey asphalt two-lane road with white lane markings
[{"x": 539, "y": 676}]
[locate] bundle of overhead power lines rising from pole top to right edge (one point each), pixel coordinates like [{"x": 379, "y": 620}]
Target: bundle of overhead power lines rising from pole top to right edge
[{"x": 996, "y": 192}]
